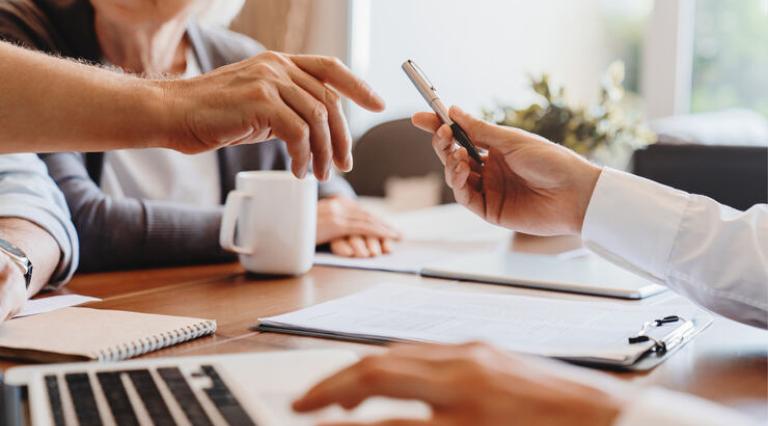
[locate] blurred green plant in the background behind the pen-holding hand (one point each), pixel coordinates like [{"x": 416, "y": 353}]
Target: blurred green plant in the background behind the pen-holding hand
[{"x": 607, "y": 132}]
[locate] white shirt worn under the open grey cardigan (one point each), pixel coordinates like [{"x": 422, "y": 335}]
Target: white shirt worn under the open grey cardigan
[{"x": 164, "y": 174}]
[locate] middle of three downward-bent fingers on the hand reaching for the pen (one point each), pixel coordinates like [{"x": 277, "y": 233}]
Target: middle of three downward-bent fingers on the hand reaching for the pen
[{"x": 316, "y": 115}]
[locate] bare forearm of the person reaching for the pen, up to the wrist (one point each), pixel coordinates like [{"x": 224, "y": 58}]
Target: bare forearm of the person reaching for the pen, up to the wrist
[{"x": 51, "y": 104}]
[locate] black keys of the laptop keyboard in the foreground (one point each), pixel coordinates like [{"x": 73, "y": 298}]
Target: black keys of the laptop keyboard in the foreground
[{"x": 110, "y": 402}]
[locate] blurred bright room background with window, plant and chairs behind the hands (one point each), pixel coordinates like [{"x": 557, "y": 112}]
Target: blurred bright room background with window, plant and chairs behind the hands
[{"x": 674, "y": 90}]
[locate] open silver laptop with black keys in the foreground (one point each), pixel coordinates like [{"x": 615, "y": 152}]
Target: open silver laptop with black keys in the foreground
[{"x": 241, "y": 389}]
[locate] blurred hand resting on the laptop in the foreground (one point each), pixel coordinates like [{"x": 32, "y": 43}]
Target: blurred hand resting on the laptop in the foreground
[{"x": 474, "y": 384}]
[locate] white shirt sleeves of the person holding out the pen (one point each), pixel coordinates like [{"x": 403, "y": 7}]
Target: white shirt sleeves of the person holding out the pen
[{"x": 714, "y": 255}]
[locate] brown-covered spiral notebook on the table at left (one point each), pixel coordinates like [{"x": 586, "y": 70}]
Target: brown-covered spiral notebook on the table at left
[{"x": 83, "y": 334}]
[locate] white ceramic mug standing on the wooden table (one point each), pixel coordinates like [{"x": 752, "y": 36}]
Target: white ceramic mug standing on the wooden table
[{"x": 274, "y": 215}]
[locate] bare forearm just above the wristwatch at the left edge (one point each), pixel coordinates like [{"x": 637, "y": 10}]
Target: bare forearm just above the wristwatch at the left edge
[{"x": 39, "y": 246}]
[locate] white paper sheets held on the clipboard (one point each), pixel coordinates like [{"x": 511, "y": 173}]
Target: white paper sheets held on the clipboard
[{"x": 543, "y": 326}]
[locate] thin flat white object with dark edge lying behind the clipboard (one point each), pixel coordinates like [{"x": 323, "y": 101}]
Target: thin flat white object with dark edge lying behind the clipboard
[{"x": 585, "y": 274}]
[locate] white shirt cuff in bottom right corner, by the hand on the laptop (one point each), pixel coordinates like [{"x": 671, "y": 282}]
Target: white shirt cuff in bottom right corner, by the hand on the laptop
[{"x": 662, "y": 407}]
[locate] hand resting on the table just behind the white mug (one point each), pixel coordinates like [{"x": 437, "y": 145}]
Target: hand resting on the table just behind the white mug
[{"x": 352, "y": 231}]
